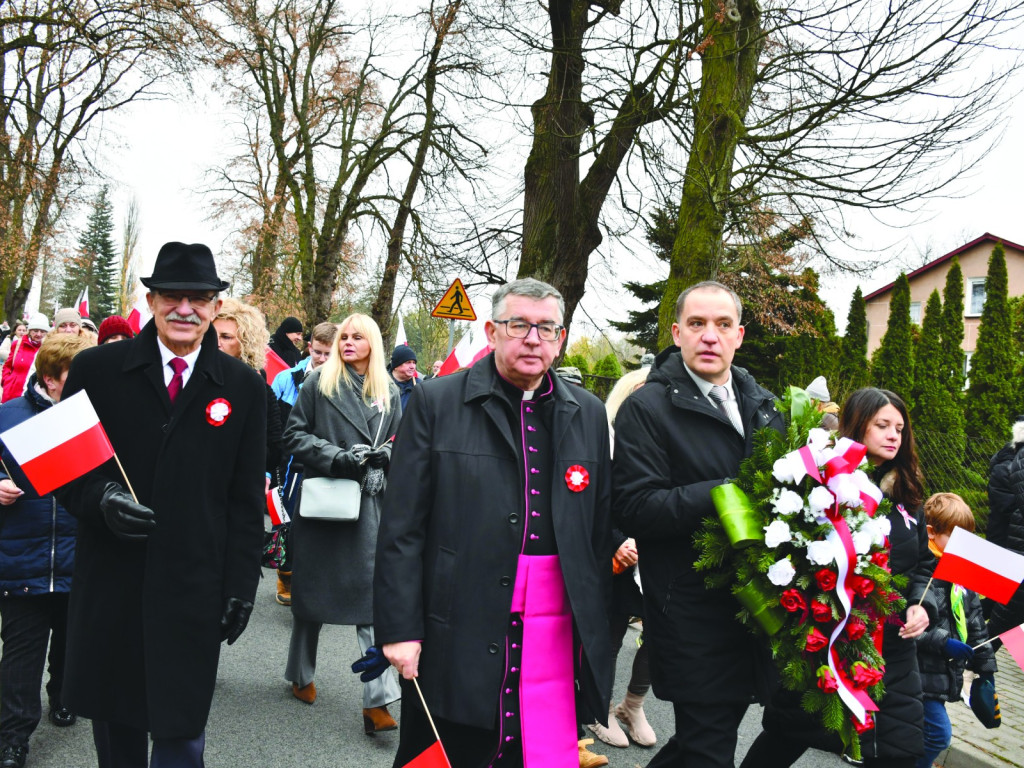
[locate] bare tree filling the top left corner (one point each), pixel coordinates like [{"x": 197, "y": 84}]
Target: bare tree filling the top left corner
[{"x": 66, "y": 65}]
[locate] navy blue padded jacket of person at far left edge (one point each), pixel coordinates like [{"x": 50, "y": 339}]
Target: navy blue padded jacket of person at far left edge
[{"x": 37, "y": 535}]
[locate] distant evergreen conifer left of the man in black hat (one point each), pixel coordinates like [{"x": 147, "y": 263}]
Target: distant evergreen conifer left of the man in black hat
[{"x": 96, "y": 264}]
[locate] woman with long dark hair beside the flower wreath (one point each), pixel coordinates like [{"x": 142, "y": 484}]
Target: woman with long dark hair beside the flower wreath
[{"x": 878, "y": 419}]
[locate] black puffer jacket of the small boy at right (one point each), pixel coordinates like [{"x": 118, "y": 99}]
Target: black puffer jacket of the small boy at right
[{"x": 942, "y": 677}]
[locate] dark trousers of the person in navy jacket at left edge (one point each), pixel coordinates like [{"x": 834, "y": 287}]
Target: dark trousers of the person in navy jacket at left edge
[{"x": 30, "y": 624}]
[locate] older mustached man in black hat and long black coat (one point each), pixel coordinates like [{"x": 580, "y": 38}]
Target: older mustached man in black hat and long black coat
[{"x": 166, "y": 569}]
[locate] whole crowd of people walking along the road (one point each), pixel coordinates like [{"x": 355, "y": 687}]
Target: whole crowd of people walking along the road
[{"x": 491, "y": 535}]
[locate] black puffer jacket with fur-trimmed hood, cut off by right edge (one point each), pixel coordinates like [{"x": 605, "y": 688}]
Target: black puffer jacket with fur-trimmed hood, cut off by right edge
[{"x": 1006, "y": 489}]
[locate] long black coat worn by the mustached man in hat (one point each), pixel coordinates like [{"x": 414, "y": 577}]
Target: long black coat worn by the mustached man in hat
[{"x": 144, "y": 636}]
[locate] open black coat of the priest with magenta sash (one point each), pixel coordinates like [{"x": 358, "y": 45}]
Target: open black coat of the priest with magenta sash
[{"x": 451, "y": 535}]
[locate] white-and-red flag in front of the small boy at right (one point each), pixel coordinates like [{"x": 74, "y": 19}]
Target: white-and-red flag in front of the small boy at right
[{"x": 982, "y": 567}]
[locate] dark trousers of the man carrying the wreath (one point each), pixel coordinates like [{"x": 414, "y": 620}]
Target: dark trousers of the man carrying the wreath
[{"x": 706, "y": 737}]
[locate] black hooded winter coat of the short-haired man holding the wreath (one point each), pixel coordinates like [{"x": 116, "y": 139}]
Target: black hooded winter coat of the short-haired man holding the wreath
[{"x": 672, "y": 448}]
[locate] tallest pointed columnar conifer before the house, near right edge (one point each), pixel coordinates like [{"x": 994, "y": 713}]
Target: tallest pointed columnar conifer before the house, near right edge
[{"x": 992, "y": 394}]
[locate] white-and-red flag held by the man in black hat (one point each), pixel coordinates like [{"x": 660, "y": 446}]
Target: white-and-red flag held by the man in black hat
[{"x": 60, "y": 445}]
